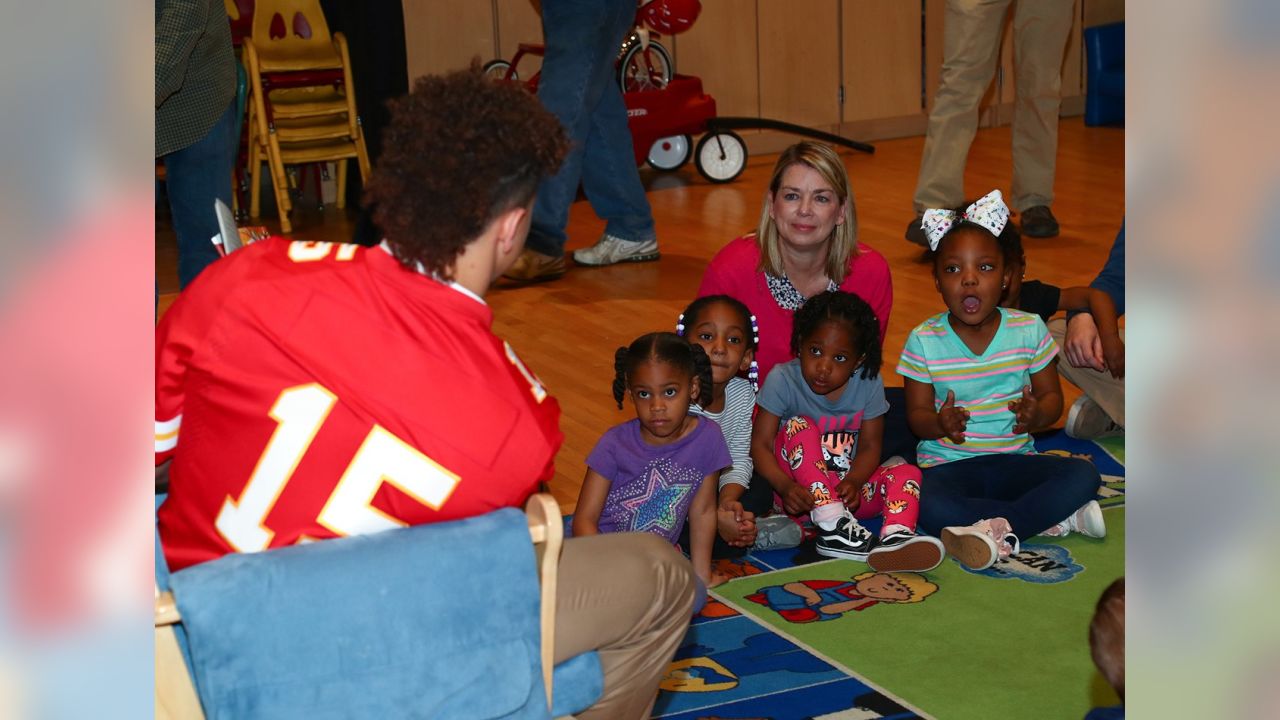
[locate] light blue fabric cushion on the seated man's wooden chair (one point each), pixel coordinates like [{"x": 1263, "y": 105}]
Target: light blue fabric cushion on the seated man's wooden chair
[{"x": 396, "y": 625}]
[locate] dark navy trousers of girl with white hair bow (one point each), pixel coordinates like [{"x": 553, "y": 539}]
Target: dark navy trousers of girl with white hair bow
[{"x": 1034, "y": 493}]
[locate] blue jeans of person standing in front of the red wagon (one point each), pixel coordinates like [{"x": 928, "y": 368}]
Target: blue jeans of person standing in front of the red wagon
[{"x": 580, "y": 88}]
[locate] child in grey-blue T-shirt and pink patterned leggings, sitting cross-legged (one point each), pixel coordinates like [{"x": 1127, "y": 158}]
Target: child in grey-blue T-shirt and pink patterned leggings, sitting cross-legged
[{"x": 819, "y": 434}]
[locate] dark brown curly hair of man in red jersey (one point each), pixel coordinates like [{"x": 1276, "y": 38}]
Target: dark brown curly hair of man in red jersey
[{"x": 460, "y": 151}]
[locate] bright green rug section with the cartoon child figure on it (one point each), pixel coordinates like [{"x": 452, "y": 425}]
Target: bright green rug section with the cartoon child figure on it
[{"x": 976, "y": 646}]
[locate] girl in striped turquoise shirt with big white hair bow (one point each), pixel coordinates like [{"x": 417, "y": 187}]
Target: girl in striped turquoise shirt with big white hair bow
[{"x": 979, "y": 380}]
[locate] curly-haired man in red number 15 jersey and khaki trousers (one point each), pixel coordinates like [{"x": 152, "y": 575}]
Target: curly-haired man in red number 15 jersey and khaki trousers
[{"x": 280, "y": 429}]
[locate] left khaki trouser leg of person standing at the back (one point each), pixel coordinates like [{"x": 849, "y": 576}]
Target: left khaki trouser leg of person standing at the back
[{"x": 970, "y": 49}]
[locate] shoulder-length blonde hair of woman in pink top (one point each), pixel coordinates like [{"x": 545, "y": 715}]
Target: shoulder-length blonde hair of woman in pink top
[{"x": 844, "y": 239}]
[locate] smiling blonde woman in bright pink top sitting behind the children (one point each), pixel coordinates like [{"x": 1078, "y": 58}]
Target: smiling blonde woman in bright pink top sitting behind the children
[{"x": 807, "y": 244}]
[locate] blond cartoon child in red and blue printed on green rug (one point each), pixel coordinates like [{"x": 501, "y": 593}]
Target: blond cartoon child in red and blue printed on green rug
[{"x": 808, "y": 601}]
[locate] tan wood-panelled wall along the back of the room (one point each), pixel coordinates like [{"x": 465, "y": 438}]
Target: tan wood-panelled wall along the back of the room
[{"x": 865, "y": 69}]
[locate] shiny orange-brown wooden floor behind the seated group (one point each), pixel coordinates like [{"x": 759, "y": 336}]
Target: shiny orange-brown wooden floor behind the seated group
[{"x": 566, "y": 331}]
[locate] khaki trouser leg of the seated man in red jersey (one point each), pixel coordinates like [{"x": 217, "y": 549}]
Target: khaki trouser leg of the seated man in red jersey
[{"x": 629, "y": 596}]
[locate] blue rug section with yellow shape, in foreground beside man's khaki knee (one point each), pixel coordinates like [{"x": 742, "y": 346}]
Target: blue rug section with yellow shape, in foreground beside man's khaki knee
[{"x": 744, "y": 671}]
